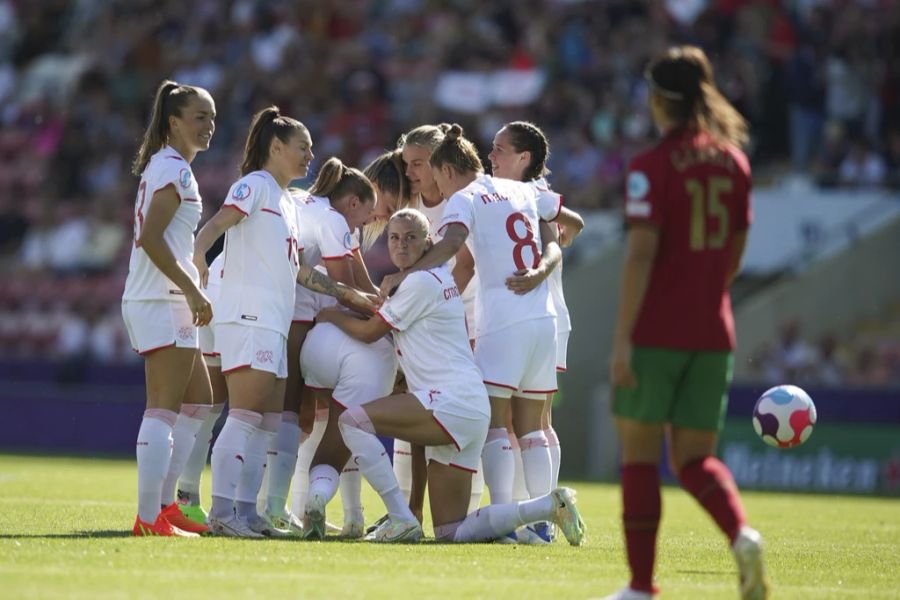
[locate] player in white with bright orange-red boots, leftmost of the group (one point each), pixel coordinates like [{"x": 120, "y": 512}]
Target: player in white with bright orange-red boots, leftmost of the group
[{"x": 162, "y": 304}]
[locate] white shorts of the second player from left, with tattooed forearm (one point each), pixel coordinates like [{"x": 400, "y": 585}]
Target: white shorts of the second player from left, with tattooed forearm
[{"x": 243, "y": 347}]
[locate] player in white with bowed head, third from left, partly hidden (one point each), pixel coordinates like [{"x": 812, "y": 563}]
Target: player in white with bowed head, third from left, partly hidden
[{"x": 338, "y": 203}]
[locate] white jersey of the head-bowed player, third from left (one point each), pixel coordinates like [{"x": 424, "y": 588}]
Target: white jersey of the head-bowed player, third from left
[{"x": 324, "y": 235}]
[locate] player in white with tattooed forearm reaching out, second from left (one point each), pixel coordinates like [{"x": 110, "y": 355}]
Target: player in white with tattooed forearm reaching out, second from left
[{"x": 256, "y": 300}]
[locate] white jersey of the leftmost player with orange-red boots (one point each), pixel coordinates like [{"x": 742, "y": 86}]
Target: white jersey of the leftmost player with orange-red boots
[{"x": 145, "y": 281}]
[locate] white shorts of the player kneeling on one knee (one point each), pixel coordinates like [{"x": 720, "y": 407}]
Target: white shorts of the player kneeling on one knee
[{"x": 467, "y": 432}]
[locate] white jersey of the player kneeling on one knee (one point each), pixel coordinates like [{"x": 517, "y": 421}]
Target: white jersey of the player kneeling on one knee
[{"x": 429, "y": 325}]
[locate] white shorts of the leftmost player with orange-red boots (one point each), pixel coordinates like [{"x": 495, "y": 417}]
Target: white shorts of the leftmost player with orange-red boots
[{"x": 156, "y": 324}]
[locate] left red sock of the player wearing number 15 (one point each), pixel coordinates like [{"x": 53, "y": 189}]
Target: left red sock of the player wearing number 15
[{"x": 640, "y": 517}]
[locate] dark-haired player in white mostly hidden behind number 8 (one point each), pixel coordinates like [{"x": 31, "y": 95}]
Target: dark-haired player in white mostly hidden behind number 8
[{"x": 520, "y": 151}]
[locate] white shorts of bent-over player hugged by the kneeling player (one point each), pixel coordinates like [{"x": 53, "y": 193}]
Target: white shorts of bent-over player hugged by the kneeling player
[{"x": 355, "y": 372}]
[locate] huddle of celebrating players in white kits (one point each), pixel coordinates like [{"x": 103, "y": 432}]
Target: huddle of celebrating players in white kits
[{"x": 450, "y": 355}]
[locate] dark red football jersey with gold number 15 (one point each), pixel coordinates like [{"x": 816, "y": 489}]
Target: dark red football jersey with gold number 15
[{"x": 696, "y": 191}]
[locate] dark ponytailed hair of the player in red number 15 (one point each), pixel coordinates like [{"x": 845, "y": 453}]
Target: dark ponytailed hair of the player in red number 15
[{"x": 683, "y": 78}]
